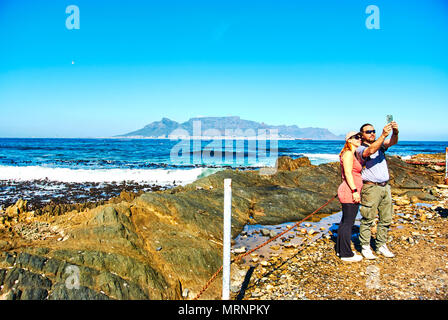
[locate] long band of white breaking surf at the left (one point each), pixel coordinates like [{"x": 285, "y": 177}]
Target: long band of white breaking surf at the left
[{"x": 147, "y": 176}]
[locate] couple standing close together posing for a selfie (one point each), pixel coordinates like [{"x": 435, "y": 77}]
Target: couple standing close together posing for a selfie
[{"x": 365, "y": 188}]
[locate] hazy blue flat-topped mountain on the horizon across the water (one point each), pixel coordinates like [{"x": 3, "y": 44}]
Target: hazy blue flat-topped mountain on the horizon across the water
[{"x": 217, "y": 126}]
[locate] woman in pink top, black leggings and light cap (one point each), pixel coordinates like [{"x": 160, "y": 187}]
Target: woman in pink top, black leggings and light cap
[{"x": 349, "y": 196}]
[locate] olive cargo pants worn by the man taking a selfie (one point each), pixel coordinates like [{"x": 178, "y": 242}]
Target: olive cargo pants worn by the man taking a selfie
[{"x": 375, "y": 200}]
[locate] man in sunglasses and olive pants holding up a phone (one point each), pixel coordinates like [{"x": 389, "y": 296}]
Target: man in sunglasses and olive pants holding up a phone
[{"x": 376, "y": 195}]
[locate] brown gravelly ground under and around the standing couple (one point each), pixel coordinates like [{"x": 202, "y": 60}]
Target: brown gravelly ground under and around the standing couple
[{"x": 418, "y": 237}]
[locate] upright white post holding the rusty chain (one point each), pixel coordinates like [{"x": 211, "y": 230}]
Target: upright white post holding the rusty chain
[{"x": 226, "y": 239}]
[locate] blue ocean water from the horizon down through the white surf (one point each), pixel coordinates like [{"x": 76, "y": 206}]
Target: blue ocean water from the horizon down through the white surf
[{"x": 159, "y": 161}]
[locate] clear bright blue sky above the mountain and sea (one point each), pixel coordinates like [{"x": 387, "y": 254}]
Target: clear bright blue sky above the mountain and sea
[{"x": 309, "y": 63}]
